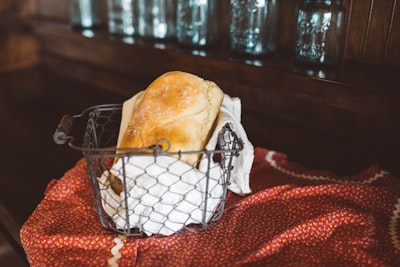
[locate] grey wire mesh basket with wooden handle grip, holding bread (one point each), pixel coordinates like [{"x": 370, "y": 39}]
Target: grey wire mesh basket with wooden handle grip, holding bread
[{"x": 160, "y": 193}]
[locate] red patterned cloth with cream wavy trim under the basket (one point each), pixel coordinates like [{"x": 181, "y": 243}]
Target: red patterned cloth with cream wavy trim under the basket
[{"x": 294, "y": 217}]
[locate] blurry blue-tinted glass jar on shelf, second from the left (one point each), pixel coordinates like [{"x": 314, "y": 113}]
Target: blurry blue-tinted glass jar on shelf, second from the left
[{"x": 120, "y": 17}]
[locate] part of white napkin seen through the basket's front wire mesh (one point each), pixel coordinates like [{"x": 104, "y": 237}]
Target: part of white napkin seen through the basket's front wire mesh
[{"x": 165, "y": 197}]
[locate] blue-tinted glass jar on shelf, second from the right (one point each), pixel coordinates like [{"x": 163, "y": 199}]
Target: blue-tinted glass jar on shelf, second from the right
[{"x": 253, "y": 26}]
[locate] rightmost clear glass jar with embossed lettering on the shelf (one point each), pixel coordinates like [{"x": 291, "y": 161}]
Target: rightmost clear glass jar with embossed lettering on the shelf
[{"x": 320, "y": 31}]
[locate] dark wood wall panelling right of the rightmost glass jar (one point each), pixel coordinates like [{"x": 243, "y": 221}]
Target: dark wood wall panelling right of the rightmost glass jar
[{"x": 372, "y": 32}]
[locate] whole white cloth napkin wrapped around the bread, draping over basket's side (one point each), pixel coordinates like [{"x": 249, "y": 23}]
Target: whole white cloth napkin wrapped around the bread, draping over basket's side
[{"x": 165, "y": 194}]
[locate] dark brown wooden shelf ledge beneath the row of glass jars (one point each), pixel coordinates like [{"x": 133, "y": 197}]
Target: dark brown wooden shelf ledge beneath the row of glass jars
[{"x": 124, "y": 55}]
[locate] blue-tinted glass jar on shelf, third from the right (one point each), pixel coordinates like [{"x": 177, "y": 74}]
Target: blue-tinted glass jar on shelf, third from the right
[{"x": 197, "y": 22}]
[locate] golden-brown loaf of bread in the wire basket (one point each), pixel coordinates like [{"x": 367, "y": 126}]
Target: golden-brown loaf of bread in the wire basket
[{"x": 177, "y": 106}]
